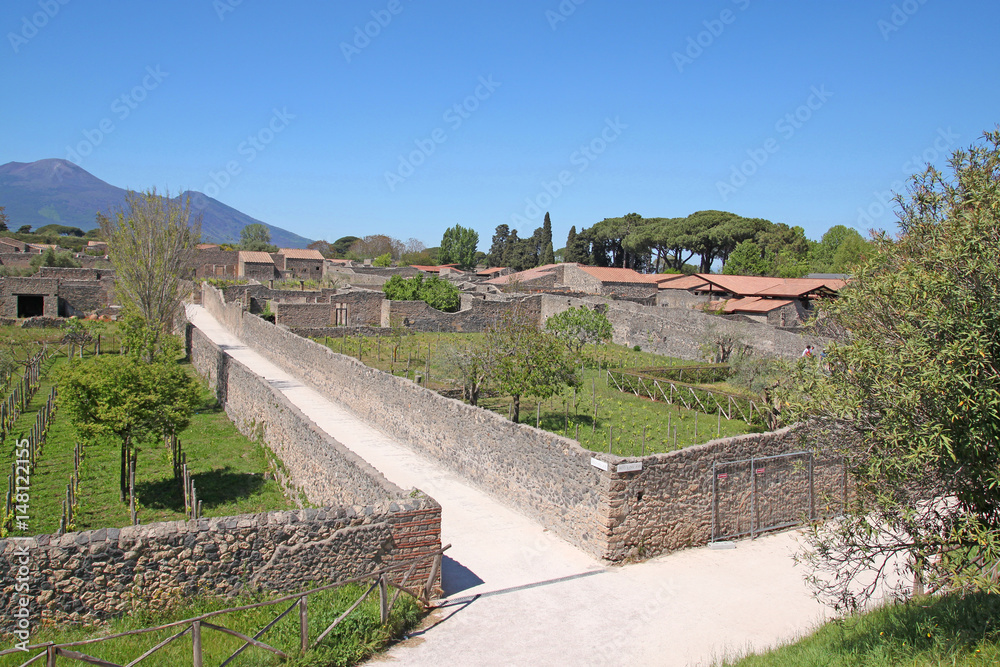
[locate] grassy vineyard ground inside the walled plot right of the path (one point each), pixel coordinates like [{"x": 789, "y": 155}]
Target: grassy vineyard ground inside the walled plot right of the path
[{"x": 629, "y": 424}]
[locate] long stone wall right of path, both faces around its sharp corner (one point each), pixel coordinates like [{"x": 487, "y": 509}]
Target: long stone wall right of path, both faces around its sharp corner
[{"x": 614, "y": 516}]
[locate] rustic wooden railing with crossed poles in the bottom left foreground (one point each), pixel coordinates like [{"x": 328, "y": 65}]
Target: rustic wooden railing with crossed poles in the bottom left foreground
[{"x": 195, "y": 626}]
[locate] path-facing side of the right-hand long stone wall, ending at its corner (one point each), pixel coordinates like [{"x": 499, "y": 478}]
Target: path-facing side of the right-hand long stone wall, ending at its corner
[{"x": 543, "y": 475}]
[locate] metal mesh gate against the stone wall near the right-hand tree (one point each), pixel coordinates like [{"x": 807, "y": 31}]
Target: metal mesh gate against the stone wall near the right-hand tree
[{"x": 761, "y": 493}]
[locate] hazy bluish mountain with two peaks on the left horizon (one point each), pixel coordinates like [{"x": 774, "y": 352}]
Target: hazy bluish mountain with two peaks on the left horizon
[{"x": 58, "y": 191}]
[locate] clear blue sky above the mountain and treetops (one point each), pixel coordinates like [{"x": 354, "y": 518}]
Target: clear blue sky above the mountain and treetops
[{"x": 405, "y": 117}]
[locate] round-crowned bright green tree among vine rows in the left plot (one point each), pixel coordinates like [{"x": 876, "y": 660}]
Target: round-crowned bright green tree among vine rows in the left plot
[{"x": 125, "y": 398}]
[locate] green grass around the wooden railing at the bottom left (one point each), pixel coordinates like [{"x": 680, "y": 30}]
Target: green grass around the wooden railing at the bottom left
[{"x": 357, "y": 638}]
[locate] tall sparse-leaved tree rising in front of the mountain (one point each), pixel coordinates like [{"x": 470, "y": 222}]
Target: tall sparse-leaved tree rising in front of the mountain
[{"x": 151, "y": 242}]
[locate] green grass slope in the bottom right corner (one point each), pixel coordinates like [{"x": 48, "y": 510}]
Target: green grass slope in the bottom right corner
[{"x": 926, "y": 632}]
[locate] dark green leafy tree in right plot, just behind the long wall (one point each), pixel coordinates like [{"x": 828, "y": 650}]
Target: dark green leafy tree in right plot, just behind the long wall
[{"x": 525, "y": 361}]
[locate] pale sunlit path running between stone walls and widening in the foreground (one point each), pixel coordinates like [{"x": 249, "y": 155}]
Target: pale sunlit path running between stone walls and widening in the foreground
[{"x": 517, "y": 595}]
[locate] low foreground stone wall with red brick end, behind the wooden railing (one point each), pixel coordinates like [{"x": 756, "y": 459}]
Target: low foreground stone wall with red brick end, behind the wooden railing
[{"x": 86, "y": 576}]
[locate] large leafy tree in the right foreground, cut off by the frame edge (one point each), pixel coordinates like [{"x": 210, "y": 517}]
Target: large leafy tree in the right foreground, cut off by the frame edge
[{"x": 918, "y": 385}]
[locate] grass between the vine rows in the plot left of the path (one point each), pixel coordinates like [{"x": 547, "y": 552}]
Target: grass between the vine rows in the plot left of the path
[{"x": 229, "y": 470}]
